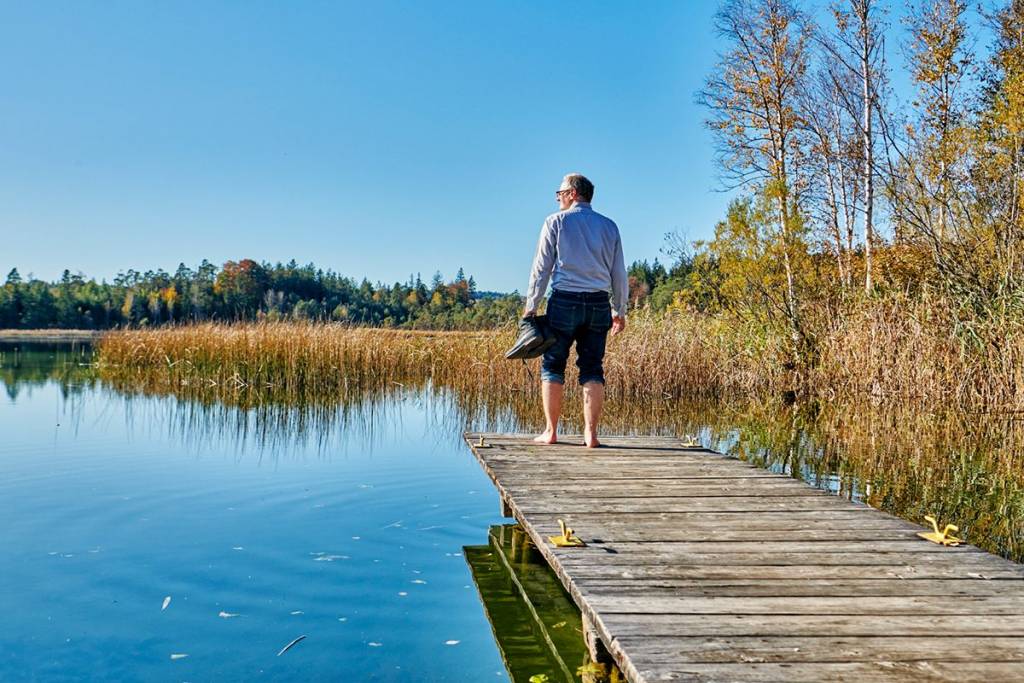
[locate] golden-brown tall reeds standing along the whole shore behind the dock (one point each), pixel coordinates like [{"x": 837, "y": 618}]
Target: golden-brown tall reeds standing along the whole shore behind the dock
[{"x": 894, "y": 351}]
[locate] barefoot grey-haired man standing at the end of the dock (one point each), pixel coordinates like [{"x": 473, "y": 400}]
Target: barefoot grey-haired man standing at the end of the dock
[{"x": 581, "y": 252}]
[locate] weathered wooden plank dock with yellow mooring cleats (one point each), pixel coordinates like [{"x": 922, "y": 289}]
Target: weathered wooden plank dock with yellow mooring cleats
[{"x": 704, "y": 568}]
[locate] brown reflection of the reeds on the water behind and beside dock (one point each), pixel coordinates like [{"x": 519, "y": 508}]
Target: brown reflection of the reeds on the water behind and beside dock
[{"x": 963, "y": 468}]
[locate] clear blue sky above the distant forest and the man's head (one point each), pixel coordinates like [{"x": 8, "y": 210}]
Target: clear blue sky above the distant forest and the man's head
[{"x": 373, "y": 139}]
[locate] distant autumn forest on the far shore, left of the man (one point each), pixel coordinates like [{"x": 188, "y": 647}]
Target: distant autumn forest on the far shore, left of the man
[{"x": 247, "y": 291}]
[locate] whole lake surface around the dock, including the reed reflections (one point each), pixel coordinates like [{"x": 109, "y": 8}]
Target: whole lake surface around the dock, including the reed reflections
[{"x": 347, "y": 524}]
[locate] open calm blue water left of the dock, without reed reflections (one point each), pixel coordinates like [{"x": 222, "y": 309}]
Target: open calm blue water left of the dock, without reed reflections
[{"x": 260, "y": 529}]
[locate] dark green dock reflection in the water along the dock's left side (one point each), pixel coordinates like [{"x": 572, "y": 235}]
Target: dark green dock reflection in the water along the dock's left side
[{"x": 536, "y": 625}]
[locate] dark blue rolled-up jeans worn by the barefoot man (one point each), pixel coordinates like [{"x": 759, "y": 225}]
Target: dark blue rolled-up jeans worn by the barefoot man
[{"x": 584, "y": 318}]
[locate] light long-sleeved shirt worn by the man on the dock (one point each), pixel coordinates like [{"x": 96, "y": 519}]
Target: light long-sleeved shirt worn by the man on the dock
[{"x": 579, "y": 251}]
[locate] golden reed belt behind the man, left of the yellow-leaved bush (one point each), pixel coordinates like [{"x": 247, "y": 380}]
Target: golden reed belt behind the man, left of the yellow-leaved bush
[{"x": 658, "y": 357}]
